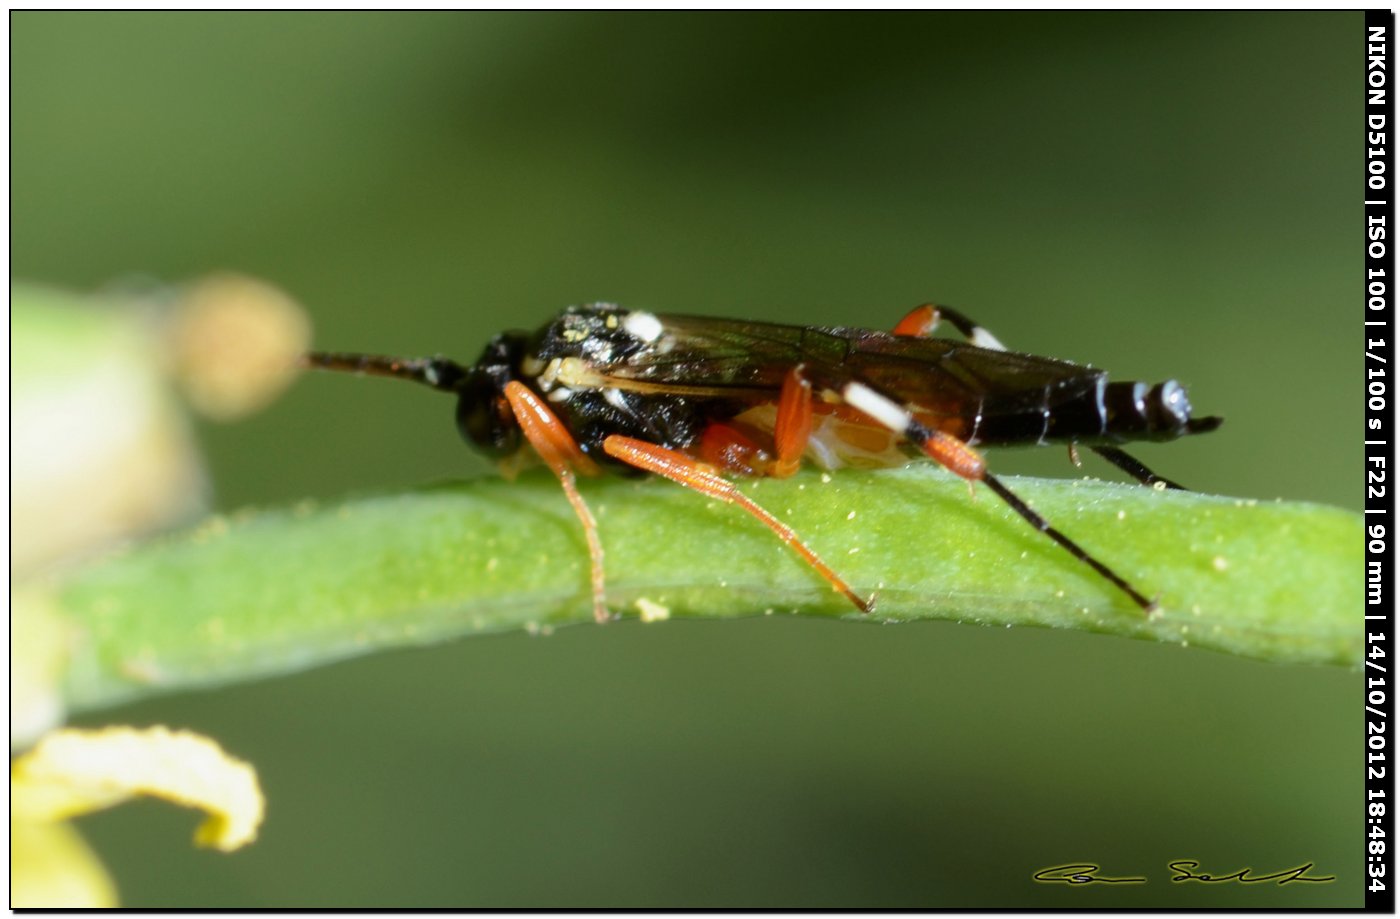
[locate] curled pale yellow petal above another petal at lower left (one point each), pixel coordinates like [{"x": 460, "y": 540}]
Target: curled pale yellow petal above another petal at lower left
[{"x": 75, "y": 773}]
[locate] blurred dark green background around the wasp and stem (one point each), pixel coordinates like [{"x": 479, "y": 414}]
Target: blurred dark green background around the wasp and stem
[{"x": 1163, "y": 195}]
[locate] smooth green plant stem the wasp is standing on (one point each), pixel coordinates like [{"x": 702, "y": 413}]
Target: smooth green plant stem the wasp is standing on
[{"x": 276, "y": 592}]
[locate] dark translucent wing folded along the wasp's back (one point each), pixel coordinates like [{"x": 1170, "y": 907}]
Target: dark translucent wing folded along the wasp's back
[{"x": 939, "y": 376}]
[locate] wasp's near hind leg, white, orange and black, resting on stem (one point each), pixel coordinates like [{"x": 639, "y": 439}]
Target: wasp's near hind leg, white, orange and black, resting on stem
[{"x": 967, "y": 463}]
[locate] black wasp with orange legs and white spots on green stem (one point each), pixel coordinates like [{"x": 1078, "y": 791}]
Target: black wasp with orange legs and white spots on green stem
[{"x": 699, "y": 400}]
